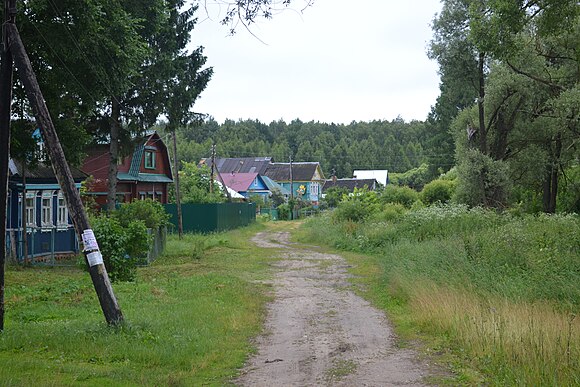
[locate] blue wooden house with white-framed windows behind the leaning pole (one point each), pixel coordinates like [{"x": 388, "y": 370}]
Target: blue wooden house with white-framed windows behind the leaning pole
[{"x": 50, "y": 235}]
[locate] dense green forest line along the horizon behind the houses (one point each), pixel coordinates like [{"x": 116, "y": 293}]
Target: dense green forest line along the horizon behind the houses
[{"x": 396, "y": 145}]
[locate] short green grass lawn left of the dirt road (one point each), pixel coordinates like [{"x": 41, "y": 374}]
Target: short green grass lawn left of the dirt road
[{"x": 189, "y": 318}]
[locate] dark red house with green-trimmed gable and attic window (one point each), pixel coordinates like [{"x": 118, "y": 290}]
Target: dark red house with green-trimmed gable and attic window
[{"x": 146, "y": 173}]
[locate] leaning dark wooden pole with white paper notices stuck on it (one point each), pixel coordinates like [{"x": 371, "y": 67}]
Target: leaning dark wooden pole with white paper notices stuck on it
[{"x": 77, "y": 212}]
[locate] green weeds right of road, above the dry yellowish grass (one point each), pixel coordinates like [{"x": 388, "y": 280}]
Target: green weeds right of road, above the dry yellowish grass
[{"x": 530, "y": 258}]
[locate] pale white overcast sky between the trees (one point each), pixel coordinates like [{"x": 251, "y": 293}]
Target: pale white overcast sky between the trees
[{"x": 333, "y": 62}]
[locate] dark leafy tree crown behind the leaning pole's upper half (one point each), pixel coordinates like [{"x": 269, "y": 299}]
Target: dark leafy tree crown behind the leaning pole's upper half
[{"x": 76, "y": 83}]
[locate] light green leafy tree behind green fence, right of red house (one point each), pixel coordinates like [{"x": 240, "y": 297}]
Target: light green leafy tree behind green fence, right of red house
[{"x": 195, "y": 185}]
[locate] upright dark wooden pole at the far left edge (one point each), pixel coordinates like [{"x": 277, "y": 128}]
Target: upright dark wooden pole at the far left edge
[{"x": 5, "y": 108}]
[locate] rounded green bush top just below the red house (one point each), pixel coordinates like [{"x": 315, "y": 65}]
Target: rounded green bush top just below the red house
[{"x": 149, "y": 211}]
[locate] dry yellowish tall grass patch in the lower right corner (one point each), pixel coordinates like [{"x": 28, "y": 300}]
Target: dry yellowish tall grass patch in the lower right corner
[{"x": 514, "y": 343}]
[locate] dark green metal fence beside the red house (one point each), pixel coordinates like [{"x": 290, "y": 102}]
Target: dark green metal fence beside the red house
[{"x": 212, "y": 217}]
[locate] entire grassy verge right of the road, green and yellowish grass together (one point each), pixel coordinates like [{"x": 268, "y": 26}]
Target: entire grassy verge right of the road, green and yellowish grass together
[{"x": 498, "y": 295}]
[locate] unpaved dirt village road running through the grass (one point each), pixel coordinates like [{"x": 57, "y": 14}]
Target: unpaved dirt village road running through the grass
[{"x": 319, "y": 333}]
